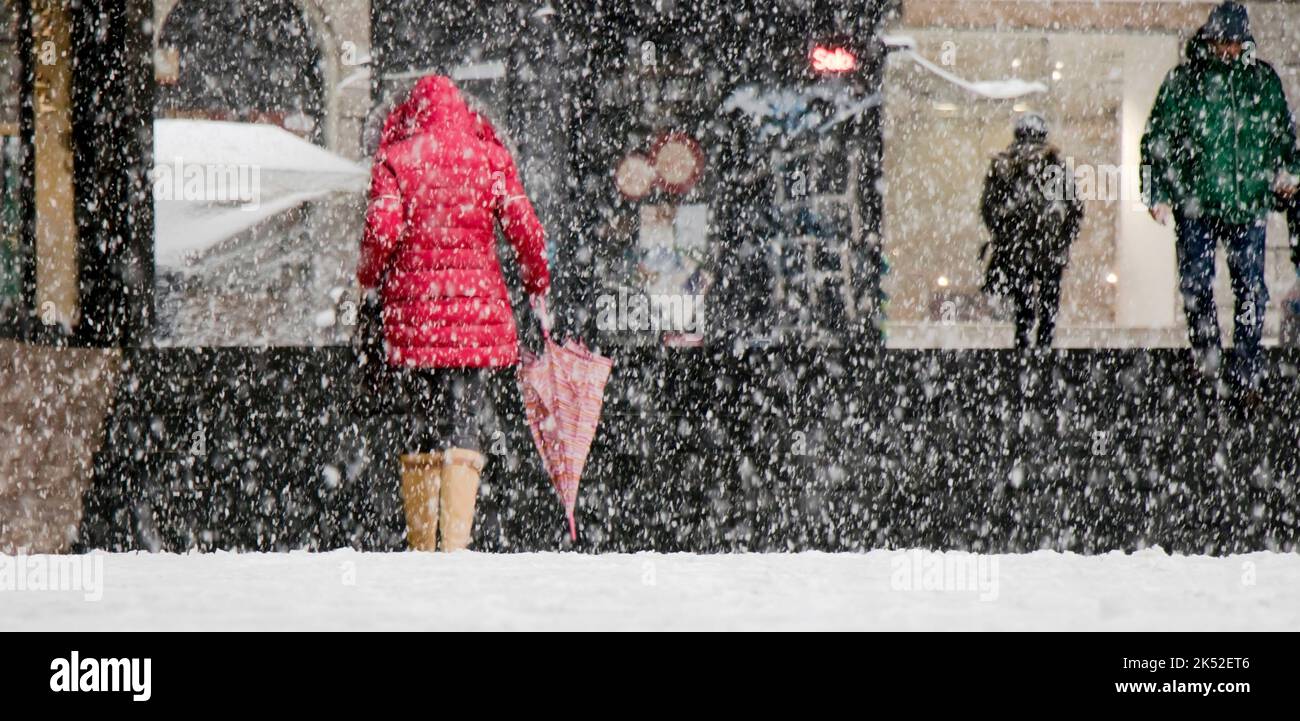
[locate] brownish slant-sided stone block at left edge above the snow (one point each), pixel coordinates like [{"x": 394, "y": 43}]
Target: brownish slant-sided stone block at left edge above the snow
[{"x": 53, "y": 409}]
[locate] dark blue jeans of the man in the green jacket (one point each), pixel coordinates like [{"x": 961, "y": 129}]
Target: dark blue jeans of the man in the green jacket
[{"x": 1198, "y": 240}]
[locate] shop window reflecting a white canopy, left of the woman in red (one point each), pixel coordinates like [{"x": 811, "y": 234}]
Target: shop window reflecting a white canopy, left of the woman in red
[{"x": 258, "y": 244}]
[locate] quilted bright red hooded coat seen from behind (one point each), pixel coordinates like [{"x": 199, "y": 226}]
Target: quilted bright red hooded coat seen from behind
[{"x": 441, "y": 184}]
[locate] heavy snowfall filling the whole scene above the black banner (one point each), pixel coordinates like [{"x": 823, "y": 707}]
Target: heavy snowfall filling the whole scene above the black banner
[{"x": 665, "y": 315}]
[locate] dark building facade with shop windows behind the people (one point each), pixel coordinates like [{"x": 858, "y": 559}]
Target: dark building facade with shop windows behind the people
[{"x": 180, "y": 359}]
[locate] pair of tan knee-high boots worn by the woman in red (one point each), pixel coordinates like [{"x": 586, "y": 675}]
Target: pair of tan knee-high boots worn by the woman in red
[{"x": 439, "y": 493}]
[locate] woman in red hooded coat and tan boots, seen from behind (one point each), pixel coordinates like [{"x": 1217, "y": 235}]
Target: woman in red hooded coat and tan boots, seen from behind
[{"x": 441, "y": 184}]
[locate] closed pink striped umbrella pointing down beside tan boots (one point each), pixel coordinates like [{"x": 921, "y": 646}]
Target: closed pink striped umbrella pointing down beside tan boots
[{"x": 564, "y": 394}]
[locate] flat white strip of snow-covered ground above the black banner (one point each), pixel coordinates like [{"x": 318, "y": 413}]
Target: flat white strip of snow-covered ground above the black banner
[{"x": 882, "y": 590}]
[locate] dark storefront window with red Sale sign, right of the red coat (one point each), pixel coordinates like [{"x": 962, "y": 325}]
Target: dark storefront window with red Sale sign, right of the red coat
[{"x": 700, "y": 188}]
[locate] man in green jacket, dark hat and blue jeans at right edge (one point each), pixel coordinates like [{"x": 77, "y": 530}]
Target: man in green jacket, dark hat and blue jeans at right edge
[{"x": 1220, "y": 145}]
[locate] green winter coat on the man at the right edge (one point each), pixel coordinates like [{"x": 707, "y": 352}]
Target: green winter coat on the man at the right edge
[{"x": 1217, "y": 138}]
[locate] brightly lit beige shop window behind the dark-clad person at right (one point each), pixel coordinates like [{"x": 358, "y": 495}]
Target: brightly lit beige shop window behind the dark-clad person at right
[{"x": 1098, "y": 89}]
